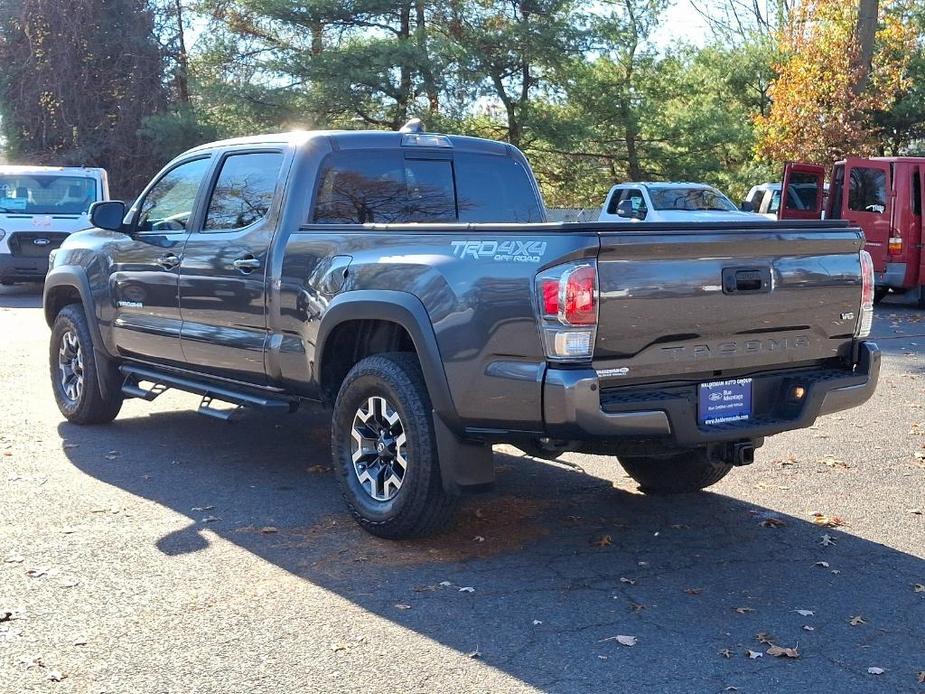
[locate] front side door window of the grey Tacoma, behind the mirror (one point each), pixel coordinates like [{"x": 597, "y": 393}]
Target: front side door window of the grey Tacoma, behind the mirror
[{"x": 168, "y": 205}]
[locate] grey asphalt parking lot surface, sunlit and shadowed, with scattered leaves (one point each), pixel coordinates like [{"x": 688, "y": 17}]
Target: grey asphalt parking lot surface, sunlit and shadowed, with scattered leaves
[{"x": 169, "y": 552}]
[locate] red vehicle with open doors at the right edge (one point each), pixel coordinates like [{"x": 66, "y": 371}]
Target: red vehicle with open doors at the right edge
[{"x": 883, "y": 196}]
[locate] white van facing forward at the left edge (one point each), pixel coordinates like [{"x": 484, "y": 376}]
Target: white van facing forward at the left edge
[{"x": 39, "y": 207}]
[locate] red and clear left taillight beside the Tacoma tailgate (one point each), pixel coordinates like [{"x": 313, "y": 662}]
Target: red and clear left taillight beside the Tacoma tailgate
[{"x": 568, "y": 303}]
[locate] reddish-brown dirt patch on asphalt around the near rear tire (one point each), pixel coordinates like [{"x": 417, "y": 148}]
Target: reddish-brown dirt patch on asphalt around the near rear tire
[{"x": 482, "y": 529}]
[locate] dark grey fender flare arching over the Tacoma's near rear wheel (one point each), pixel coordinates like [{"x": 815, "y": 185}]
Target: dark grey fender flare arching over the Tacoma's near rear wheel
[{"x": 407, "y": 311}]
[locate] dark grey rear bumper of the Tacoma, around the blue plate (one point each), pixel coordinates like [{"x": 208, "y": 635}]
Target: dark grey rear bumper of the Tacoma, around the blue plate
[{"x": 575, "y": 406}]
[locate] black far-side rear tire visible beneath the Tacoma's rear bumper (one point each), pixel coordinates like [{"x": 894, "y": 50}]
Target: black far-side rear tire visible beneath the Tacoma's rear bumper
[{"x": 689, "y": 471}]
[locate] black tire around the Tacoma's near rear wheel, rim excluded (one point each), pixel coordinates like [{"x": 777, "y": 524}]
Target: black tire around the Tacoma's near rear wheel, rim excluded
[{"x": 420, "y": 507}]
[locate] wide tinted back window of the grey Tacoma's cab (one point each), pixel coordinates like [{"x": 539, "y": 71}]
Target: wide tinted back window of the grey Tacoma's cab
[{"x": 382, "y": 186}]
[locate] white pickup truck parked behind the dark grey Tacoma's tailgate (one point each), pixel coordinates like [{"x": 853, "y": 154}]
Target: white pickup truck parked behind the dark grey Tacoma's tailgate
[{"x": 671, "y": 202}]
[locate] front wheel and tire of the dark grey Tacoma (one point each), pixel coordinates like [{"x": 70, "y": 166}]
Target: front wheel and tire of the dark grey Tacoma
[{"x": 76, "y": 374}]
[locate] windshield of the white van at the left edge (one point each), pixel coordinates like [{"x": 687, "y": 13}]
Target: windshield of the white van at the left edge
[{"x": 46, "y": 194}]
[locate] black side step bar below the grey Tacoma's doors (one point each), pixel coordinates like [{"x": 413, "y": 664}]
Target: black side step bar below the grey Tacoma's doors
[{"x": 210, "y": 392}]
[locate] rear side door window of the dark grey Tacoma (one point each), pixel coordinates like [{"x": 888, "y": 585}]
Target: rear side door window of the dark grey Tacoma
[{"x": 243, "y": 191}]
